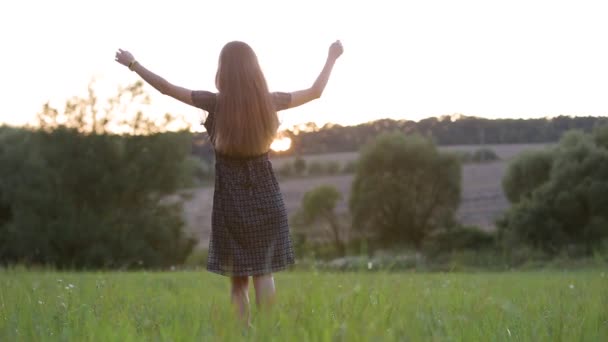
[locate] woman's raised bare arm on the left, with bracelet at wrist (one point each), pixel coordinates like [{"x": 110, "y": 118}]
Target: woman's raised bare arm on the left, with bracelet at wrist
[{"x": 165, "y": 87}]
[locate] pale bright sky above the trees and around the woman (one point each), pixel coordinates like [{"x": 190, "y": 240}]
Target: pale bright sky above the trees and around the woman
[{"x": 402, "y": 59}]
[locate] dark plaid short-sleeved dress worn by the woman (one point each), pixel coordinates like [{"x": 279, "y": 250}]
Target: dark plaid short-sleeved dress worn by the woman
[{"x": 250, "y": 232}]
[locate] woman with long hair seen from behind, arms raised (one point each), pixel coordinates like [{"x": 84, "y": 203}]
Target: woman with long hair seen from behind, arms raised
[{"x": 250, "y": 234}]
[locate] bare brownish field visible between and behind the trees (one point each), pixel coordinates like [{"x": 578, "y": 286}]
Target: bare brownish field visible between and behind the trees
[{"x": 482, "y": 196}]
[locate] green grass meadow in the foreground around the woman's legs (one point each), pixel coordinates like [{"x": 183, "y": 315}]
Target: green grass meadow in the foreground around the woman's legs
[{"x": 365, "y": 306}]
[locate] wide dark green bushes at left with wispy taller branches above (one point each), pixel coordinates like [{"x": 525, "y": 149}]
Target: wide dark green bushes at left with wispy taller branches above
[{"x": 73, "y": 195}]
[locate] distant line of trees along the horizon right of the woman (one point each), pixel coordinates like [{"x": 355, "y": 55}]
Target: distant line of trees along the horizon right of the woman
[{"x": 443, "y": 131}]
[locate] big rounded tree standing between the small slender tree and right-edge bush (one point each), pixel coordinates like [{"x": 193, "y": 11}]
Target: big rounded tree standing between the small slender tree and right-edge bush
[{"x": 404, "y": 188}]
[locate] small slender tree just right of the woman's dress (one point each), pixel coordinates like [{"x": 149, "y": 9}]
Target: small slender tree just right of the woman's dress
[{"x": 320, "y": 204}]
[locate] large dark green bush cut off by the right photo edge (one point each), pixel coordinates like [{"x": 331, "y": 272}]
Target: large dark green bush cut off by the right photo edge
[{"x": 569, "y": 208}]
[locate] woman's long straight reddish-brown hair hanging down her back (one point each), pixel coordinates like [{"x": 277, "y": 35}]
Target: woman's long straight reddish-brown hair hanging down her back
[{"x": 246, "y": 121}]
